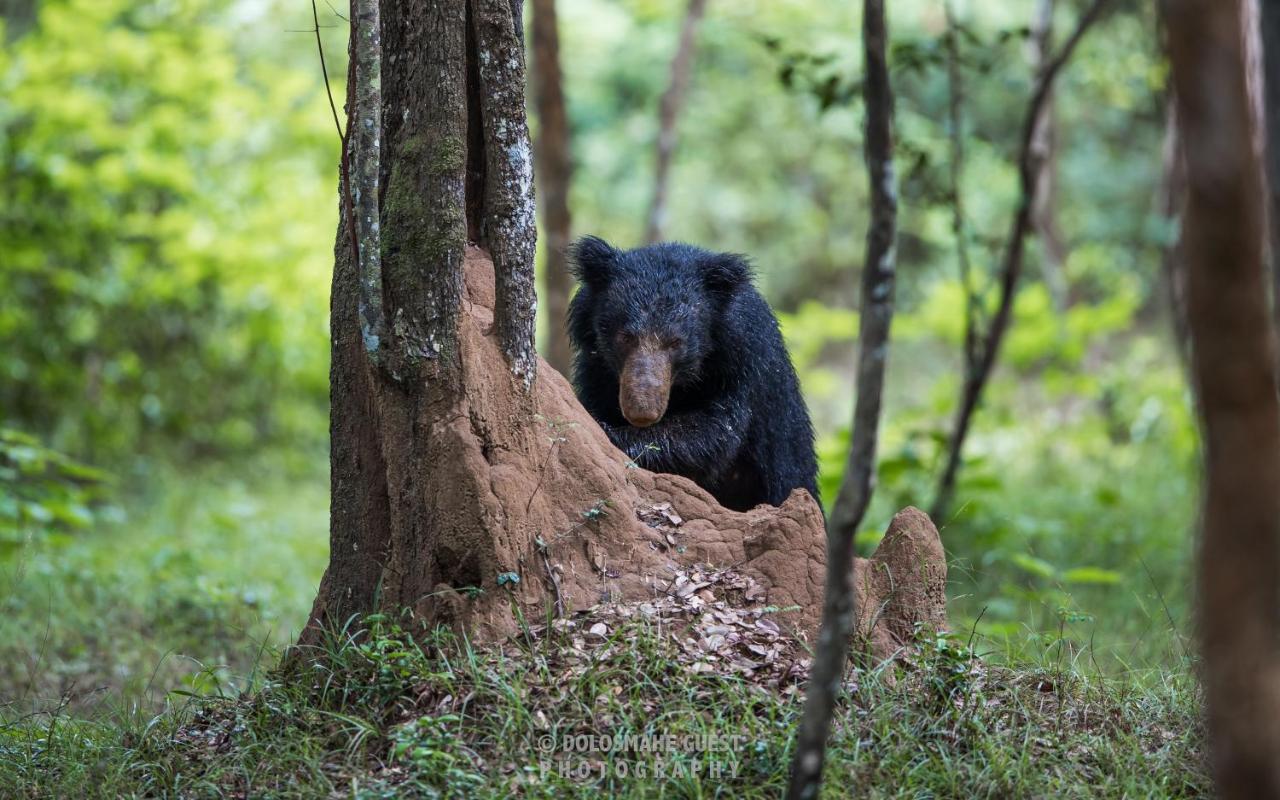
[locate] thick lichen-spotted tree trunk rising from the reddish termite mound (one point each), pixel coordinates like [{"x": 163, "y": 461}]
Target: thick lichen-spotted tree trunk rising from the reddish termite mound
[{"x": 397, "y": 369}]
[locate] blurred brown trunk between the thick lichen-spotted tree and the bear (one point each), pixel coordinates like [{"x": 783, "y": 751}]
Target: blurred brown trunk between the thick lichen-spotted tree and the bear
[{"x": 555, "y": 177}]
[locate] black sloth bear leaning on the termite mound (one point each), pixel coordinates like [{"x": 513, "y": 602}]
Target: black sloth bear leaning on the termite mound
[{"x": 682, "y": 363}]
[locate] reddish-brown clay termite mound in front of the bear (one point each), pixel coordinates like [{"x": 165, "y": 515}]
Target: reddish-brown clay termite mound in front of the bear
[{"x": 554, "y": 502}]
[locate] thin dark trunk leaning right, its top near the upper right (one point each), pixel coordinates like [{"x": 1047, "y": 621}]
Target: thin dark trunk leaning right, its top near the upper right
[{"x": 1012, "y": 266}]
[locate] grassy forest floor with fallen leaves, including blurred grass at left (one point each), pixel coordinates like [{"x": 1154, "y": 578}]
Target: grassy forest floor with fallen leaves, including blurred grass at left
[{"x": 140, "y": 662}]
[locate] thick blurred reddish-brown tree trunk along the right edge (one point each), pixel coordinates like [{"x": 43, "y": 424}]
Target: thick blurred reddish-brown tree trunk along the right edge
[{"x": 1235, "y": 378}]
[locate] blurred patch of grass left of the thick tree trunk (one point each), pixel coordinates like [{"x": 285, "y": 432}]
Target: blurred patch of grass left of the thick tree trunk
[{"x": 204, "y": 574}]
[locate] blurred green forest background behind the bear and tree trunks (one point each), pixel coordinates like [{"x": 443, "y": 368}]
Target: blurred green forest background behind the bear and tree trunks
[{"x": 168, "y": 205}]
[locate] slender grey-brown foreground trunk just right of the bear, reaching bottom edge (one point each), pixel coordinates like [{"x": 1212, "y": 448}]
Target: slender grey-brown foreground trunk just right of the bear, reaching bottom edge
[{"x": 839, "y": 611}]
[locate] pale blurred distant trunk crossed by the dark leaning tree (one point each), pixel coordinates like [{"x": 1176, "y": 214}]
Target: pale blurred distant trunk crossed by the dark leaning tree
[{"x": 1045, "y": 141}]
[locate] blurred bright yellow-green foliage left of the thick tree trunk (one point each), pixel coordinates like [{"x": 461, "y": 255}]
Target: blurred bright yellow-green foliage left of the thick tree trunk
[{"x": 158, "y": 191}]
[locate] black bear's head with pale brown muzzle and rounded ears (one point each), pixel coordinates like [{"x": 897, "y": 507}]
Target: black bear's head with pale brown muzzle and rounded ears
[{"x": 652, "y": 316}]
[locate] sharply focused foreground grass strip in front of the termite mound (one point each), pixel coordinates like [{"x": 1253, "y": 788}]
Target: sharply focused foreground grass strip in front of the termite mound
[{"x": 396, "y": 717}]
